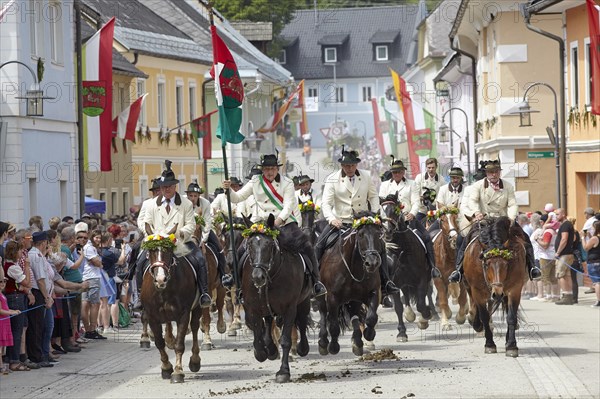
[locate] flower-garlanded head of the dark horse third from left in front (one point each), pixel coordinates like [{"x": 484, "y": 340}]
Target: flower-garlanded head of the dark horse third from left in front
[{"x": 369, "y": 239}]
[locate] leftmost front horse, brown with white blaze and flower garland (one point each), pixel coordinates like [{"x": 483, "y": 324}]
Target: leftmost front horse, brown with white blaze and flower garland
[{"x": 169, "y": 293}]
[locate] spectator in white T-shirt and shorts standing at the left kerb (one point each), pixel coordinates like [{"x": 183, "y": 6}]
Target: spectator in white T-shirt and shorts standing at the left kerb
[{"x": 90, "y": 300}]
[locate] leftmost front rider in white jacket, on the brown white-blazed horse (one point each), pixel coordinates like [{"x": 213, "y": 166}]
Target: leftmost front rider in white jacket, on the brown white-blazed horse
[{"x": 171, "y": 210}]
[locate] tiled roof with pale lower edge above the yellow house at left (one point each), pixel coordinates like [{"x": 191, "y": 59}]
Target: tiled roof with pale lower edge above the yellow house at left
[{"x": 140, "y": 29}]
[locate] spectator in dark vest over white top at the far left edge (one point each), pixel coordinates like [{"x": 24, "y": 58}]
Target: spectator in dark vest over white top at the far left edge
[{"x": 17, "y": 290}]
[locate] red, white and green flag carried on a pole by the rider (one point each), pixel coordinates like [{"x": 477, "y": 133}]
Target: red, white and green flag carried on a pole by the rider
[{"x": 228, "y": 90}]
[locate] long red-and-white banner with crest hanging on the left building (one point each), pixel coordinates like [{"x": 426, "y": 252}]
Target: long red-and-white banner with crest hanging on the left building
[{"x": 97, "y": 98}]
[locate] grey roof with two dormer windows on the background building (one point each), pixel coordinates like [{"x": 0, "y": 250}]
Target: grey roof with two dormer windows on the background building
[{"x": 355, "y": 31}]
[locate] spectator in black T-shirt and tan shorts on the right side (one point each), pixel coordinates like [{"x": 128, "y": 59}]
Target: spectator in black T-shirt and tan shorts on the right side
[{"x": 564, "y": 257}]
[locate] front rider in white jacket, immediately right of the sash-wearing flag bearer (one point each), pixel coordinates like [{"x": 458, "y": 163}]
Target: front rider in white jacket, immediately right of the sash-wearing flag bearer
[{"x": 348, "y": 191}]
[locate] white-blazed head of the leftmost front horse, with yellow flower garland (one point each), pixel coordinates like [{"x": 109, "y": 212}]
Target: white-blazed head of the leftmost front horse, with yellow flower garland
[{"x": 160, "y": 254}]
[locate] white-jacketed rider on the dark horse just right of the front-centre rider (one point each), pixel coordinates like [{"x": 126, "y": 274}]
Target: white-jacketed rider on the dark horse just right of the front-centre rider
[{"x": 408, "y": 195}]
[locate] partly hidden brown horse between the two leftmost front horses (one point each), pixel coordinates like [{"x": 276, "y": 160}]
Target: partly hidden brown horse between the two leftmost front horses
[{"x": 215, "y": 288}]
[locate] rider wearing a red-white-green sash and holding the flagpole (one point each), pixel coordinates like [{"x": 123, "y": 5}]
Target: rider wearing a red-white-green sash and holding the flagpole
[{"x": 274, "y": 194}]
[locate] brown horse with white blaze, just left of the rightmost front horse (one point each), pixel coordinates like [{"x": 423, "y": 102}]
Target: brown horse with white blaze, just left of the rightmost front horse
[{"x": 444, "y": 244}]
